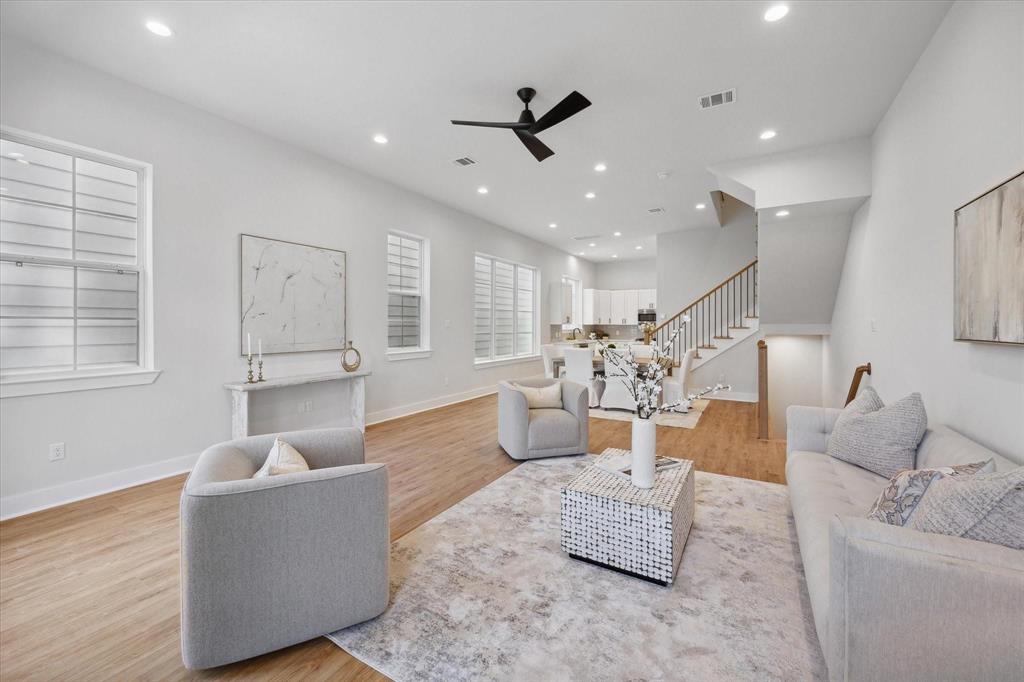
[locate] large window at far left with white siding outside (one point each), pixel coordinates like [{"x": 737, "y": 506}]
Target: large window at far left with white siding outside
[{"x": 72, "y": 263}]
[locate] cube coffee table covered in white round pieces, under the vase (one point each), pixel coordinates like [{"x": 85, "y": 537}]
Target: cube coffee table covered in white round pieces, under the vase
[{"x": 610, "y": 523}]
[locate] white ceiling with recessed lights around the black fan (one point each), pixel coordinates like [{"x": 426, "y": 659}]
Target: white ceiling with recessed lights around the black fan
[{"x": 327, "y": 76}]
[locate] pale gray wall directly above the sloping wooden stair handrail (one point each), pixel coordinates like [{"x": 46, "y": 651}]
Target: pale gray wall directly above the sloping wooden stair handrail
[{"x": 693, "y": 262}]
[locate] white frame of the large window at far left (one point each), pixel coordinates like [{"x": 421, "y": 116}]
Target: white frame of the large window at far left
[{"x": 145, "y": 373}]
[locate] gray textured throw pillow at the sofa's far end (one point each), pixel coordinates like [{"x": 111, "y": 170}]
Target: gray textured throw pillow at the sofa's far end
[{"x": 882, "y": 439}]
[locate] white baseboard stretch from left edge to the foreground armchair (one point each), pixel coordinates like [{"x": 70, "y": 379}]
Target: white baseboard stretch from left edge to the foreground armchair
[{"x": 33, "y": 501}]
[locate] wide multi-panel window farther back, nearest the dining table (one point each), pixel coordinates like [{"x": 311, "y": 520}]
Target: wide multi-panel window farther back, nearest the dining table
[{"x": 505, "y": 310}]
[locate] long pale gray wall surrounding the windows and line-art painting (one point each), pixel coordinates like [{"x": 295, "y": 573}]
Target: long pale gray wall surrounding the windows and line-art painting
[{"x": 215, "y": 180}]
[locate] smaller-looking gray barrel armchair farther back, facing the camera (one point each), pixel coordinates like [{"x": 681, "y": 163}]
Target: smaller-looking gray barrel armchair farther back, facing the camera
[{"x": 527, "y": 435}]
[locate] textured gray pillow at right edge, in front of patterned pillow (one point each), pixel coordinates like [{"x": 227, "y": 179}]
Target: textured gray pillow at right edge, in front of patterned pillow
[{"x": 989, "y": 507}]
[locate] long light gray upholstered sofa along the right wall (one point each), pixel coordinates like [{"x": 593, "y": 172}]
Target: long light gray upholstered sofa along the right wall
[{"x": 890, "y": 603}]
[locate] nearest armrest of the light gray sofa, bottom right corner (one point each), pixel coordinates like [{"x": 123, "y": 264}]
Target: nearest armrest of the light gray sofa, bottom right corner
[{"x": 905, "y": 605}]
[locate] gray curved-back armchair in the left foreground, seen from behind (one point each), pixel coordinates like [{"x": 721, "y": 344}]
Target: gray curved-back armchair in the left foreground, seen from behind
[{"x": 270, "y": 563}]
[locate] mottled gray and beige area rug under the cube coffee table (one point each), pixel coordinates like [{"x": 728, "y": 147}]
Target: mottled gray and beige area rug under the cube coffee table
[{"x": 484, "y": 592}]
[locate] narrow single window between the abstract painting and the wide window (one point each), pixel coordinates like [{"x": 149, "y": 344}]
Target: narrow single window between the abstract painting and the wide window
[{"x": 408, "y": 320}]
